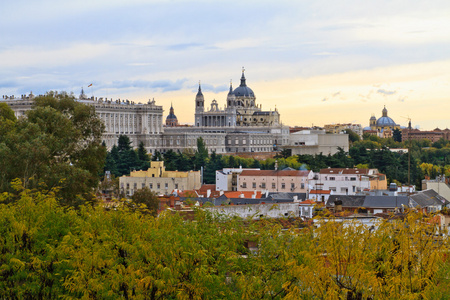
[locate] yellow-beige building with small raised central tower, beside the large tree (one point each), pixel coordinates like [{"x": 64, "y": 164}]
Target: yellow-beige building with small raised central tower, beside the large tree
[{"x": 157, "y": 179}]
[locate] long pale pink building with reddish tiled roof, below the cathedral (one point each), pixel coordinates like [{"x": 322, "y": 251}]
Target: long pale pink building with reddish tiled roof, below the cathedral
[{"x": 289, "y": 181}]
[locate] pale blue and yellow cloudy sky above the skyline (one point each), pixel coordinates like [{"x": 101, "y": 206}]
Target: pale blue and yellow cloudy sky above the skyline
[{"x": 317, "y": 62}]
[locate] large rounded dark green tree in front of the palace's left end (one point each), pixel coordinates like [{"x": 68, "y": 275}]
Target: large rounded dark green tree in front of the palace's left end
[{"x": 57, "y": 145}]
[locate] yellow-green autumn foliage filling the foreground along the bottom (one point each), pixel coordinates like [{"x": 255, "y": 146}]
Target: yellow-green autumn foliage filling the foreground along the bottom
[{"x": 49, "y": 252}]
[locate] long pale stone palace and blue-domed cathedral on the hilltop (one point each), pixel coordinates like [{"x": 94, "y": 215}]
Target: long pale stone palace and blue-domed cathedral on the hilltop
[{"x": 241, "y": 126}]
